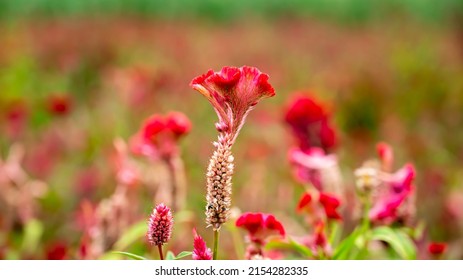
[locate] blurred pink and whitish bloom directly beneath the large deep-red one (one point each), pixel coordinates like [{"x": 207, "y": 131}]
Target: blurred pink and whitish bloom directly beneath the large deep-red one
[{"x": 315, "y": 167}]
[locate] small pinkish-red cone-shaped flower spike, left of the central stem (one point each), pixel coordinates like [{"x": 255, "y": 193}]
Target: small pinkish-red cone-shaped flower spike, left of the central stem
[{"x": 160, "y": 225}]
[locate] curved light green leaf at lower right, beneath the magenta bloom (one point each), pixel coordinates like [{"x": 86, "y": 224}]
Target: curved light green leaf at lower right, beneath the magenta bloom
[{"x": 399, "y": 241}]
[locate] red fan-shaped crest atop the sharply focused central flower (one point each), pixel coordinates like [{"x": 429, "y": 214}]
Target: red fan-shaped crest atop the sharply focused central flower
[{"x": 233, "y": 92}]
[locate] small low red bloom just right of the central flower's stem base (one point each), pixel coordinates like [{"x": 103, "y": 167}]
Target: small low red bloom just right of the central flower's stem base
[{"x": 260, "y": 226}]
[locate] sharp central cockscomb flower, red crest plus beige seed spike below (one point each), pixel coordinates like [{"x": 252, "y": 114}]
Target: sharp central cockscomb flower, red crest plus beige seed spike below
[{"x": 233, "y": 92}]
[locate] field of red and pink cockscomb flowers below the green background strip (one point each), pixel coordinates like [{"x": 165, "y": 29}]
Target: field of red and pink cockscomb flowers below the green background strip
[{"x": 295, "y": 138}]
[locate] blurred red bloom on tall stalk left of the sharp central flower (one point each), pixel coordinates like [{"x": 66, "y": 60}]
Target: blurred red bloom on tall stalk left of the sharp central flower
[{"x": 158, "y": 135}]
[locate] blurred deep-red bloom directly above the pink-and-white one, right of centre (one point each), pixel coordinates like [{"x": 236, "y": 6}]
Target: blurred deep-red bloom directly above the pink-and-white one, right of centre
[{"x": 309, "y": 122}]
